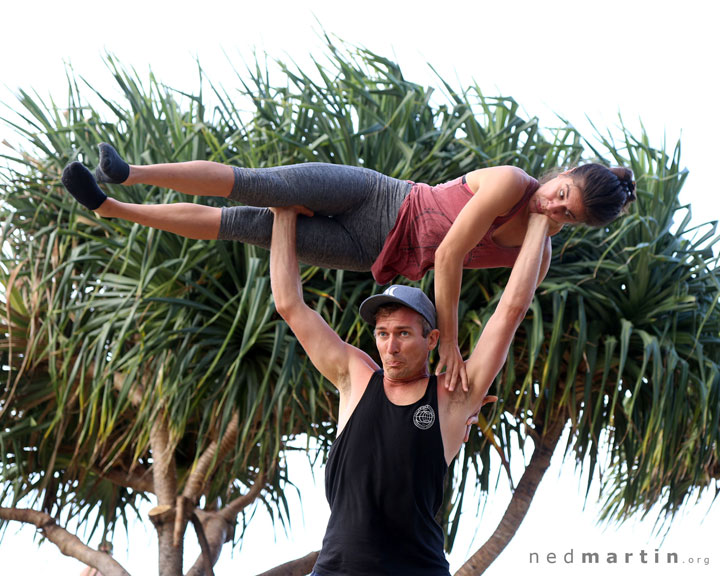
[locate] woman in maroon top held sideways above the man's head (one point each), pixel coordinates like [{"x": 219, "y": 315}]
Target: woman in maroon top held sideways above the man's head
[{"x": 364, "y": 220}]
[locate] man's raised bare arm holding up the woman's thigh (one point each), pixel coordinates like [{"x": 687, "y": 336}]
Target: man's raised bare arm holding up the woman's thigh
[{"x": 326, "y": 350}]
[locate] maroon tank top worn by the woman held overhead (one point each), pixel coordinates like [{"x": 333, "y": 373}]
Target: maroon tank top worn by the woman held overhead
[{"x": 424, "y": 219}]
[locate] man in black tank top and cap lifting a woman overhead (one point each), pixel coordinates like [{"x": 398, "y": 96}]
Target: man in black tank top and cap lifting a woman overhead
[{"x": 398, "y": 427}]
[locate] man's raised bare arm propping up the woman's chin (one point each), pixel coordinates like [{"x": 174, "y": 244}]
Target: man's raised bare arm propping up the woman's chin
[{"x": 491, "y": 350}]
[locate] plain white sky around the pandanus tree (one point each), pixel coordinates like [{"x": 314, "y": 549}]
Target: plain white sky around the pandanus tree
[{"x": 650, "y": 60}]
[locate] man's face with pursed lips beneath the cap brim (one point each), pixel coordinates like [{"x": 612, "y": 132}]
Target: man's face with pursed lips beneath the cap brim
[{"x": 402, "y": 347}]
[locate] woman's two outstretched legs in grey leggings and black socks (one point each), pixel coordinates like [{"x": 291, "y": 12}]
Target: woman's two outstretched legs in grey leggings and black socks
[{"x": 355, "y": 207}]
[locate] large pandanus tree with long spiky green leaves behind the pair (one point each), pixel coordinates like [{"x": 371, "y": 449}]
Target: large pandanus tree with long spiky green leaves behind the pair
[{"x": 142, "y": 366}]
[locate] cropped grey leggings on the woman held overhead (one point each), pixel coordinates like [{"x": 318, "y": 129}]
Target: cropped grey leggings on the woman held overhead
[{"x": 355, "y": 209}]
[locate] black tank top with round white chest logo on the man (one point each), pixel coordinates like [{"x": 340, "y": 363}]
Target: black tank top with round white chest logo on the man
[{"x": 384, "y": 482}]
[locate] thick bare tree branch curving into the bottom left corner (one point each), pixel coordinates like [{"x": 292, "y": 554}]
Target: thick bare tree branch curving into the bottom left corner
[{"x": 69, "y": 544}]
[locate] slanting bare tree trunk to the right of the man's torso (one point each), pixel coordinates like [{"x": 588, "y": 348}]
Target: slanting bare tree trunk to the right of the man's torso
[{"x": 519, "y": 503}]
